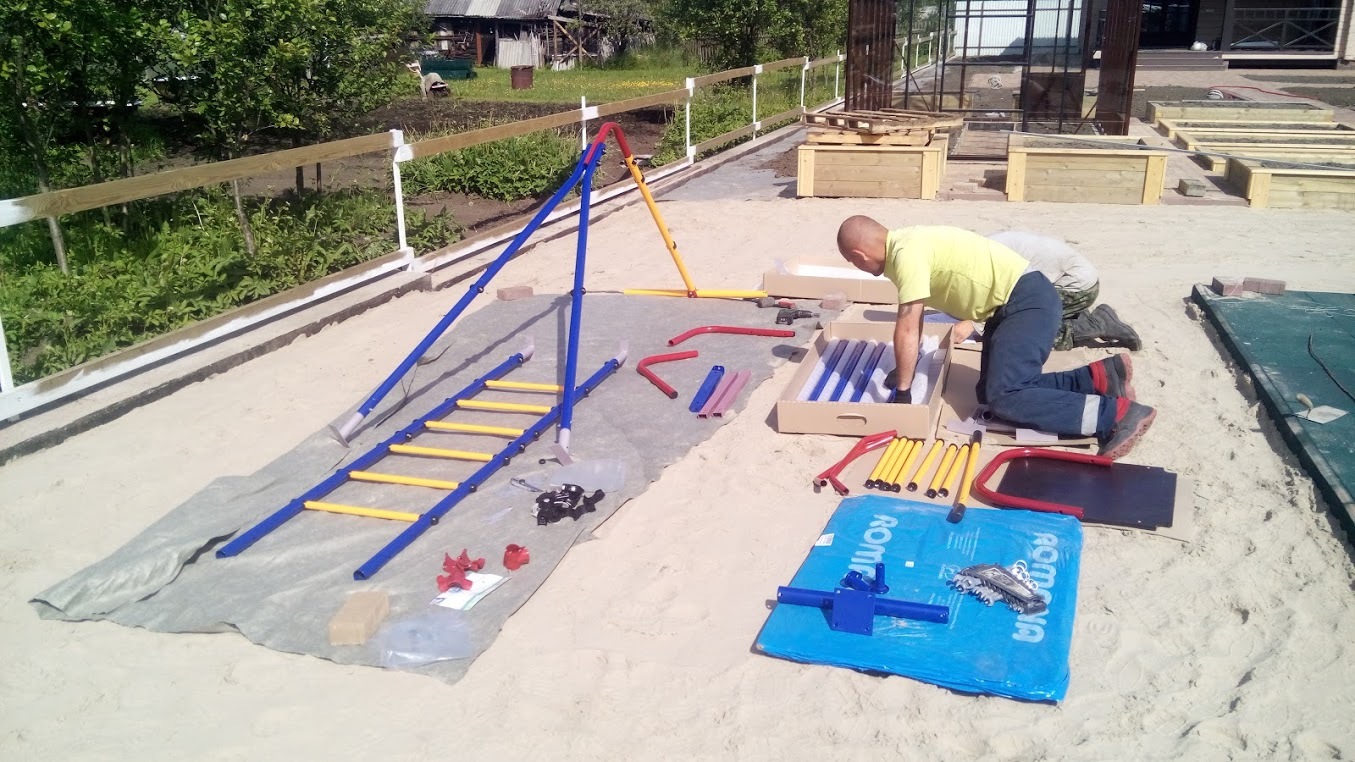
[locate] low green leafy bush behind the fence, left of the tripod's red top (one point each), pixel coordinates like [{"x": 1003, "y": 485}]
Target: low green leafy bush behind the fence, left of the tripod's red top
[{"x": 506, "y": 170}]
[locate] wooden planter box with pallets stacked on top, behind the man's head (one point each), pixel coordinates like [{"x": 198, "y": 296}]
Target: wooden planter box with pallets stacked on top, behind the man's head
[{"x": 872, "y": 172}]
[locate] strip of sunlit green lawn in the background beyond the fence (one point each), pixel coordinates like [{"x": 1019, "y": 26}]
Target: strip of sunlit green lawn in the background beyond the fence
[{"x": 600, "y": 86}]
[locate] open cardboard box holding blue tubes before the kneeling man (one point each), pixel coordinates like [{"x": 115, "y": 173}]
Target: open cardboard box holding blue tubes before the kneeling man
[{"x": 857, "y": 420}]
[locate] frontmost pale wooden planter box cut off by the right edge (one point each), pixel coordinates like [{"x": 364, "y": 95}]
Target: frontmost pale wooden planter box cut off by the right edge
[{"x": 1293, "y": 188}]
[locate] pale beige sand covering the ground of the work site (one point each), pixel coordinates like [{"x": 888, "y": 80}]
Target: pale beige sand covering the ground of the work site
[{"x": 639, "y": 647}]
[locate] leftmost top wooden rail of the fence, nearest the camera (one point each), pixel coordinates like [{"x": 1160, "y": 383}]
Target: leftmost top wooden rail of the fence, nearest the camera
[{"x": 133, "y": 189}]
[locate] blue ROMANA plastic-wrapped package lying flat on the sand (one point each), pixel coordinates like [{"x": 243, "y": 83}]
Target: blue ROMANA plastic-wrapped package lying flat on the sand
[{"x": 988, "y": 650}]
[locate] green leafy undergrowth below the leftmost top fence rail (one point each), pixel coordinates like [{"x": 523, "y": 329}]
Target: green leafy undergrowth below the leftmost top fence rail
[{"x": 185, "y": 264}]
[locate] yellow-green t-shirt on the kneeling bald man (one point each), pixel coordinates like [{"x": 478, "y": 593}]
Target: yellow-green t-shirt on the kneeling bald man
[{"x": 953, "y": 270}]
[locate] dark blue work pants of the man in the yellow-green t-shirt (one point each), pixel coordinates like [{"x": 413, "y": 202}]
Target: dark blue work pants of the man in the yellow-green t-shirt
[{"x": 1017, "y": 342}]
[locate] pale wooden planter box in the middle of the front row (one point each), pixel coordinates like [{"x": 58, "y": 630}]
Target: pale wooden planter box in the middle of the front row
[{"x": 1062, "y": 170}]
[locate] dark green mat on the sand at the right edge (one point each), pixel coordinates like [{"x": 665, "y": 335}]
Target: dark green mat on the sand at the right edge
[{"x": 1284, "y": 341}]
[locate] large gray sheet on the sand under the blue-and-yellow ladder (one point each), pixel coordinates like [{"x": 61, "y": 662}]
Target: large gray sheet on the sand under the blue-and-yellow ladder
[{"x": 283, "y": 592}]
